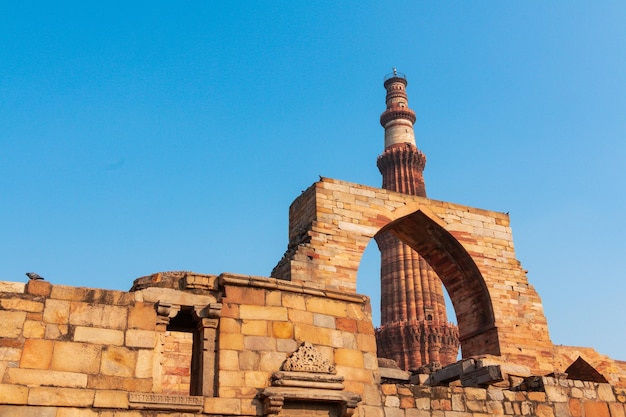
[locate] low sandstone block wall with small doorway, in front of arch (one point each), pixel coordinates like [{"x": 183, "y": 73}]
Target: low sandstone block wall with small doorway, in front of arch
[{"x": 69, "y": 352}]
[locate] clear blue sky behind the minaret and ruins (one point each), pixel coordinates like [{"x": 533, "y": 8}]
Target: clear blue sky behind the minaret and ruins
[{"x": 145, "y": 137}]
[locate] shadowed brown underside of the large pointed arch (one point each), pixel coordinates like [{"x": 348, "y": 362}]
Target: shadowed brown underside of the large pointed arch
[{"x": 425, "y": 233}]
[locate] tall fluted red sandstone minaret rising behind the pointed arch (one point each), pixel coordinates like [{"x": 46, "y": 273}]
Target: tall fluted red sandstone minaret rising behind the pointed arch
[{"x": 414, "y": 327}]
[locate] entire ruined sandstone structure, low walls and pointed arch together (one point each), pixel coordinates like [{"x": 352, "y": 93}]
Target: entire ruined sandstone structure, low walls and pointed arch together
[{"x": 302, "y": 343}]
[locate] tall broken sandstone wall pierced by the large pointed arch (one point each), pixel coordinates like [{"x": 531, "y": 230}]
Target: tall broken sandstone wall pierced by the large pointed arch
[{"x": 471, "y": 250}]
